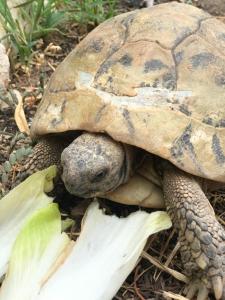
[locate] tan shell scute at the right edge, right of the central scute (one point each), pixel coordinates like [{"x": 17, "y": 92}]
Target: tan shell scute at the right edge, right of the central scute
[{"x": 202, "y": 71}]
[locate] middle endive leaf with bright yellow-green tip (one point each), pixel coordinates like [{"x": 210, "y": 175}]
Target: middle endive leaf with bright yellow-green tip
[{"x": 39, "y": 244}]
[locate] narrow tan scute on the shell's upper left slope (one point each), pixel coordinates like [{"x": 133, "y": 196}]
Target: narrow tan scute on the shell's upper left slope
[{"x": 90, "y": 54}]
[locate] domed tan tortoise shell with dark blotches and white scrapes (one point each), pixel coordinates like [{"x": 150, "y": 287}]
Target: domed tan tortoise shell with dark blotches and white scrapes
[{"x": 153, "y": 78}]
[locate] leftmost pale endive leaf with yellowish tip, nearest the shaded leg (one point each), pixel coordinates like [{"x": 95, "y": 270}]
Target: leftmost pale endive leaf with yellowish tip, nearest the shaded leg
[{"x": 18, "y": 205}]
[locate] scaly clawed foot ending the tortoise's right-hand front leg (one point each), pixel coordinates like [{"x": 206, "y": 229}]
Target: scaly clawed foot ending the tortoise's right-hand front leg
[{"x": 204, "y": 259}]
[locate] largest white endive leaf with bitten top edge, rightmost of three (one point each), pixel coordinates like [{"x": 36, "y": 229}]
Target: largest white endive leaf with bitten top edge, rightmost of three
[{"x": 103, "y": 256}]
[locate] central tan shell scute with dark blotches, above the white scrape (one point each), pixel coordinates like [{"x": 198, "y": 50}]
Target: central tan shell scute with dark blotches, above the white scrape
[{"x": 152, "y": 64}]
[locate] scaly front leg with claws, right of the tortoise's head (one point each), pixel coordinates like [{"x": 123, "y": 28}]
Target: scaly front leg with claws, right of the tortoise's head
[{"x": 201, "y": 236}]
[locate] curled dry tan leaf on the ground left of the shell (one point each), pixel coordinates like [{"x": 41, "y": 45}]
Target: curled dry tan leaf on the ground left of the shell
[{"x": 19, "y": 115}]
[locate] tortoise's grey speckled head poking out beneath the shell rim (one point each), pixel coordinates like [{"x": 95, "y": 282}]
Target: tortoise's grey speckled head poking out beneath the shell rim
[{"x": 94, "y": 164}]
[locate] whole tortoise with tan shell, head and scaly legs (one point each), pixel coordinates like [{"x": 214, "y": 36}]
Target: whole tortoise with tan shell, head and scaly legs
[{"x": 149, "y": 82}]
